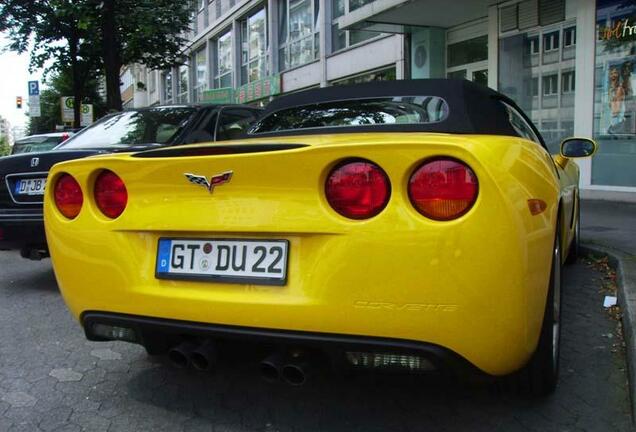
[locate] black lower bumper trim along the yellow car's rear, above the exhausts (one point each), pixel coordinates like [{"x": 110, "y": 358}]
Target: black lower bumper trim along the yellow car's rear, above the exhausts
[{"x": 339, "y": 349}]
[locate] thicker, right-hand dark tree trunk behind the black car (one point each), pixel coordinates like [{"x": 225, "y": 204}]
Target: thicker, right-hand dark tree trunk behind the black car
[{"x": 111, "y": 56}]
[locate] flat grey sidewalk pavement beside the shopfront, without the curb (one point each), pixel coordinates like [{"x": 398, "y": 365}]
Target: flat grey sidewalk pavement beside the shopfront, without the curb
[{"x": 609, "y": 224}]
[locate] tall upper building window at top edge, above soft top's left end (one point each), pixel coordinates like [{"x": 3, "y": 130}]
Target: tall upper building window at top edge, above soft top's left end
[{"x": 299, "y": 34}]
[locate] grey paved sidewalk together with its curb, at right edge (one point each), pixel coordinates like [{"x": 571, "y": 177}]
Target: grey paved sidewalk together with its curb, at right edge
[{"x": 610, "y": 228}]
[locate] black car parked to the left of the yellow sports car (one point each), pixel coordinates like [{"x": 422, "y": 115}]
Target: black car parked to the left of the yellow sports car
[{"x": 23, "y": 176}]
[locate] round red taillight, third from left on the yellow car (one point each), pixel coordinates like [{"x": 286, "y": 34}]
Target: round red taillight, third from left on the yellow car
[{"x": 358, "y": 189}]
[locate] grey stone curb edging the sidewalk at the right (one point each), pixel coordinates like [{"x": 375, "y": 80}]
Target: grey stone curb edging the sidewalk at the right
[{"x": 625, "y": 266}]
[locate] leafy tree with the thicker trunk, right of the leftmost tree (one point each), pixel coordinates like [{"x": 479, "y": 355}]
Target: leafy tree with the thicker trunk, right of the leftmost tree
[{"x": 148, "y": 32}]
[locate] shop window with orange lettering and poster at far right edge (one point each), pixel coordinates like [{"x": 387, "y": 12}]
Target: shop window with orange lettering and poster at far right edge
[{"x": 614, "y": 99}]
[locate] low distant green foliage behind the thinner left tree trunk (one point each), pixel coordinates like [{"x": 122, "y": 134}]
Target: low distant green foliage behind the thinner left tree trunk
[{"x": 60, "y": 84}]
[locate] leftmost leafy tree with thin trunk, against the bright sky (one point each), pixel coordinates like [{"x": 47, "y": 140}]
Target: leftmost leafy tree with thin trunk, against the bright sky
[{"x": 57, "y": 31}]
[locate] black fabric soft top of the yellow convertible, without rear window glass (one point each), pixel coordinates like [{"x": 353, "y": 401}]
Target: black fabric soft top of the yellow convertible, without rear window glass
[{"x": 473, "y": 108}]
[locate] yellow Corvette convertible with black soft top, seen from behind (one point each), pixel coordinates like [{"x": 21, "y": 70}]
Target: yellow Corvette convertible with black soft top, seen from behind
[{"x": 408, "y": 225}]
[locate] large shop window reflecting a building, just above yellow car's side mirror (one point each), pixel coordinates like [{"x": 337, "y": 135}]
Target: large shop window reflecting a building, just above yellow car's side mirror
[{"x": 542, "y": 85}]
